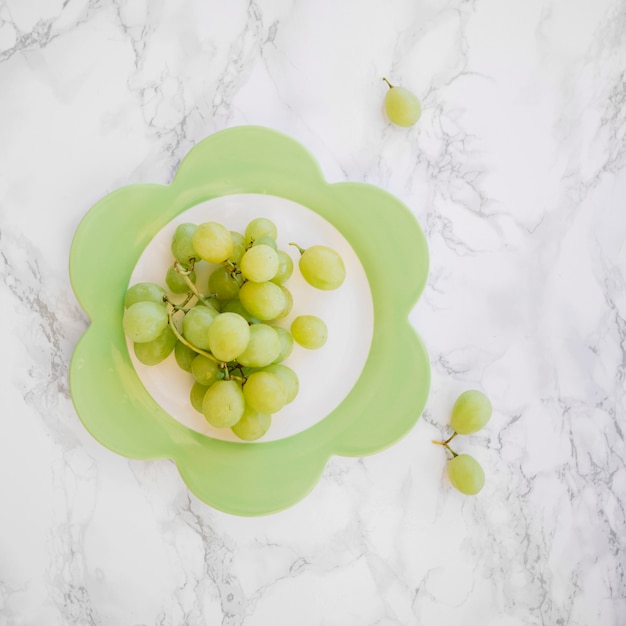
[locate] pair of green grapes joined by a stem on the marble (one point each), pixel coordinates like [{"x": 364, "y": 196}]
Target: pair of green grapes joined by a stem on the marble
[{"x": 470, "y": 413}]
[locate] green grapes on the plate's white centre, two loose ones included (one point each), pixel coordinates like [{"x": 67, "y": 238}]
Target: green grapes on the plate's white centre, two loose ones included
[{"x": 227, "y": 333}]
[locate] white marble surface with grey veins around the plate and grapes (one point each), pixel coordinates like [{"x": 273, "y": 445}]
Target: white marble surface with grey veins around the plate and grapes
[{"x": 517, "y": 173}]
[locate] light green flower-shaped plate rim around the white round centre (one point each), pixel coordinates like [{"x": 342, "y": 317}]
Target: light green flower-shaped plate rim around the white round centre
[{"x": 263, "y": 477}]
